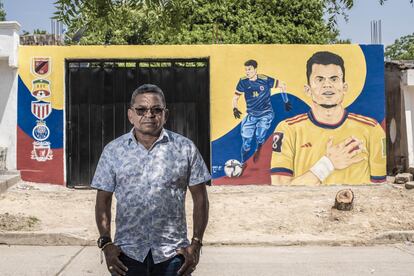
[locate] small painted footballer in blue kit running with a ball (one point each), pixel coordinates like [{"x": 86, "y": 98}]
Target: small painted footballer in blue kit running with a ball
[{"x": 256, "y": 89}]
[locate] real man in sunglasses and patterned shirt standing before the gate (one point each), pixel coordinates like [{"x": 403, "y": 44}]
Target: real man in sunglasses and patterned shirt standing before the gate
[{"x": 149, "y": 170}]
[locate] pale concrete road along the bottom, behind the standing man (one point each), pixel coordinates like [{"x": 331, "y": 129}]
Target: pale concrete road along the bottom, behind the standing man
[{"x": 262, "y": 261}]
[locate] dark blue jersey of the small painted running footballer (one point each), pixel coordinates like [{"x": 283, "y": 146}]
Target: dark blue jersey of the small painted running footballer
[{"x": 257, "y": 94}]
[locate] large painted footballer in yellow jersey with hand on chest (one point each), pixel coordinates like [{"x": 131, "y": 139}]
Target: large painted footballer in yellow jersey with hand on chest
[{"x": 328, "y": 144}]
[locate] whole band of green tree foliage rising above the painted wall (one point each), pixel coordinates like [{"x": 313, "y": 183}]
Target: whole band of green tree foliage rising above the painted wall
[{"x": 201, "y": 21}]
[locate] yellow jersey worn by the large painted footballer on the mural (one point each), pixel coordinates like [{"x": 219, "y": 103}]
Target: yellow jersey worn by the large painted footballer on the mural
[{"x": 299, "y": 142}]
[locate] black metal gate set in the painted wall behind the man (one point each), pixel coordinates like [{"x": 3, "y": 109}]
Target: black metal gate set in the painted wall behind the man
[{"x": 98, "y": 93}]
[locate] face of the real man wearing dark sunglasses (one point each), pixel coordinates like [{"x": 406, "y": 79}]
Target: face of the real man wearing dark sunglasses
[{"x": 148, "y": 114}]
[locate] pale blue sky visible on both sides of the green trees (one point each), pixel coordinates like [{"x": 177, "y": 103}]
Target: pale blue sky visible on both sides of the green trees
[{"x": 397, "y": 18}]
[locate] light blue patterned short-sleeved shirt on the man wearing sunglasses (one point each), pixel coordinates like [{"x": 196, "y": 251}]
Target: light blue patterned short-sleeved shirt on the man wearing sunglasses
[{"x": 150, "y": 188}]
